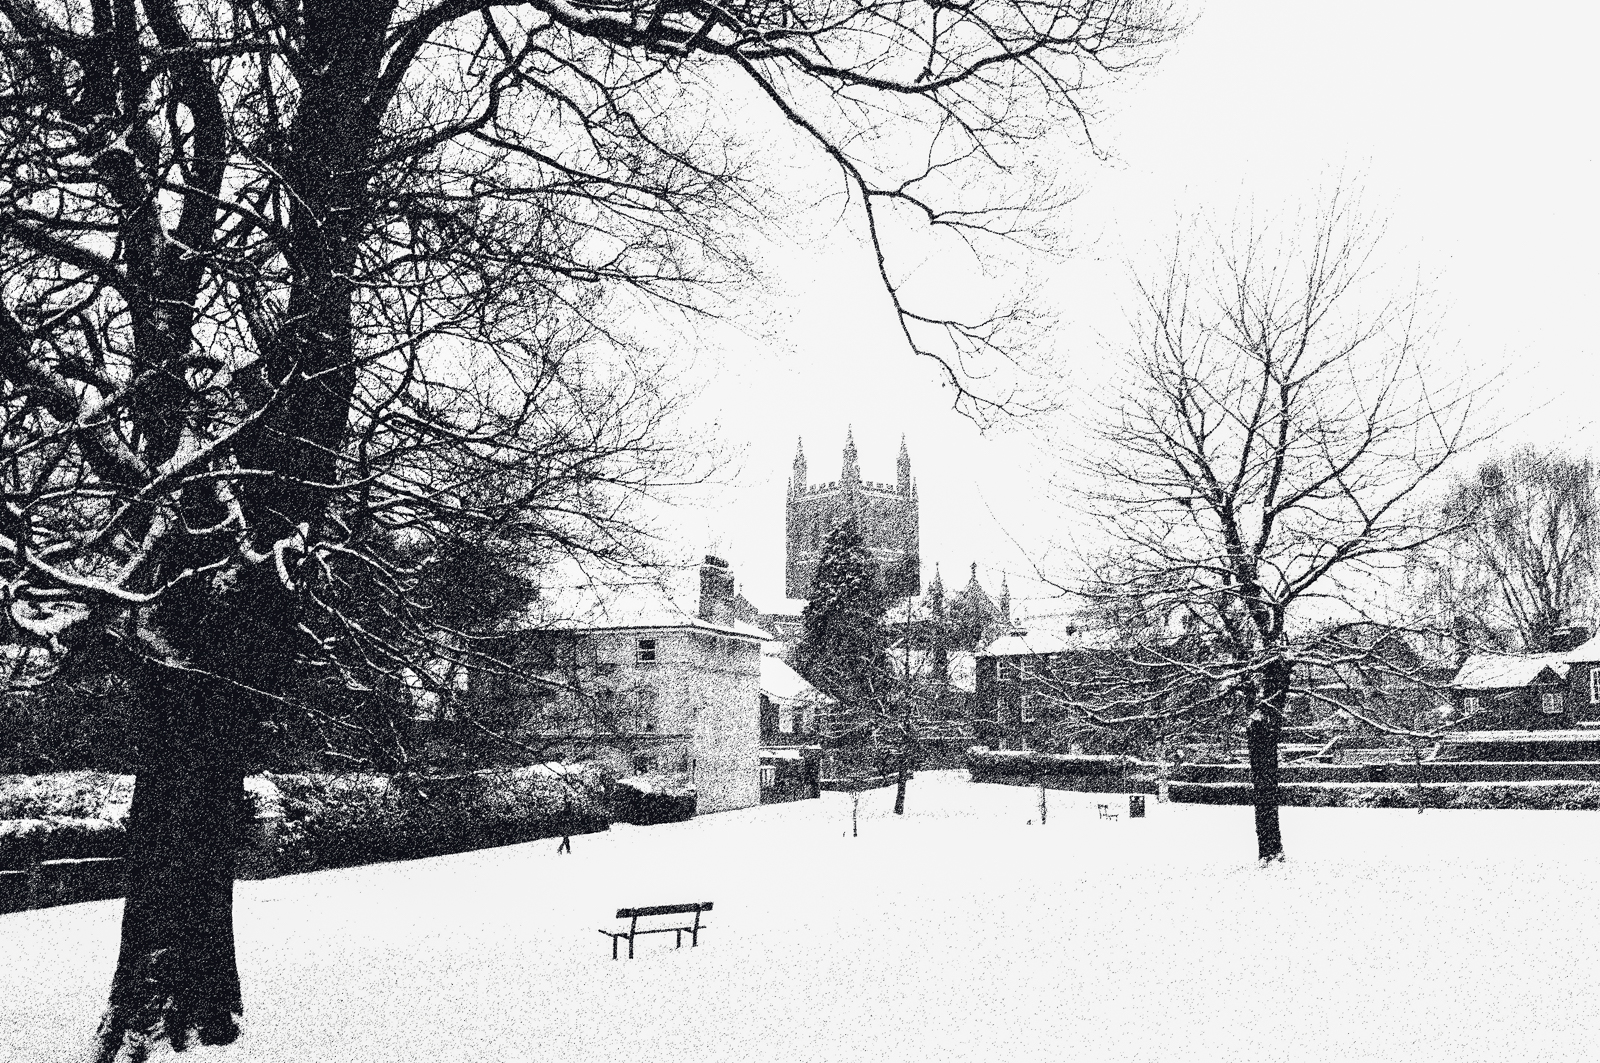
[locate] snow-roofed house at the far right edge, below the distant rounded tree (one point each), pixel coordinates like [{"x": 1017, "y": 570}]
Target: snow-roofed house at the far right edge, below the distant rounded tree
[{"x": 1530, "y": 691}]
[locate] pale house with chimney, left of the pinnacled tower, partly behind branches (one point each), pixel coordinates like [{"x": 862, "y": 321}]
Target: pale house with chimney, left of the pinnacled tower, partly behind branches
[{"x": 652, "y": 678}]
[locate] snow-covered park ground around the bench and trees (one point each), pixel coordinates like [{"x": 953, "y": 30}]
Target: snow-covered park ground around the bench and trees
[{"x": 961, "y": 933}]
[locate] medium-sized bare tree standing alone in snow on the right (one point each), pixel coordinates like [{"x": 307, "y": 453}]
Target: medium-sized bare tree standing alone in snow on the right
[{"x": 1262, "y": 467}]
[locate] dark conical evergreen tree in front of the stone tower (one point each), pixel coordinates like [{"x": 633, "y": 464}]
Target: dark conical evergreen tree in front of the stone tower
[{"x": 844, "y": 649}]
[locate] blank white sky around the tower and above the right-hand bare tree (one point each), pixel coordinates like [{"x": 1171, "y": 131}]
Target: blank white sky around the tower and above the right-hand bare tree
[{"x": 1471, "y": 129}]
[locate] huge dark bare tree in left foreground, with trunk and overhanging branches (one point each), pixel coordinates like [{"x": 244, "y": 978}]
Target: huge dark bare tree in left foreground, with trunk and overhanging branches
[{"x": 278, "y": 289}]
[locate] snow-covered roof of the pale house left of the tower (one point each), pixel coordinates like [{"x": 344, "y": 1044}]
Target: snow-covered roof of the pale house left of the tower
[{"x": 665, "y": 600}]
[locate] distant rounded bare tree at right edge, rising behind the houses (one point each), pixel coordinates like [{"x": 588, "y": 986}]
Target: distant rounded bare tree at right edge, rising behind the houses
[{"x": 1526, "y": 552}]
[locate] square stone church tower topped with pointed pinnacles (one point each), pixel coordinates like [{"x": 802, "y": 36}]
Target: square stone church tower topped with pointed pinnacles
[{"x": 884, "y": 513}]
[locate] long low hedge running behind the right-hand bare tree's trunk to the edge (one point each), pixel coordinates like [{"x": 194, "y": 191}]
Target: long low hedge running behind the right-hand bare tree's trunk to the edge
[{"x": 1540, "y": 796}]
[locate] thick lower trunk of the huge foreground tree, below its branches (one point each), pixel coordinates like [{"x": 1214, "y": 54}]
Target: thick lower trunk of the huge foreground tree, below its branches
[{"x": 177, "y": 973}]
